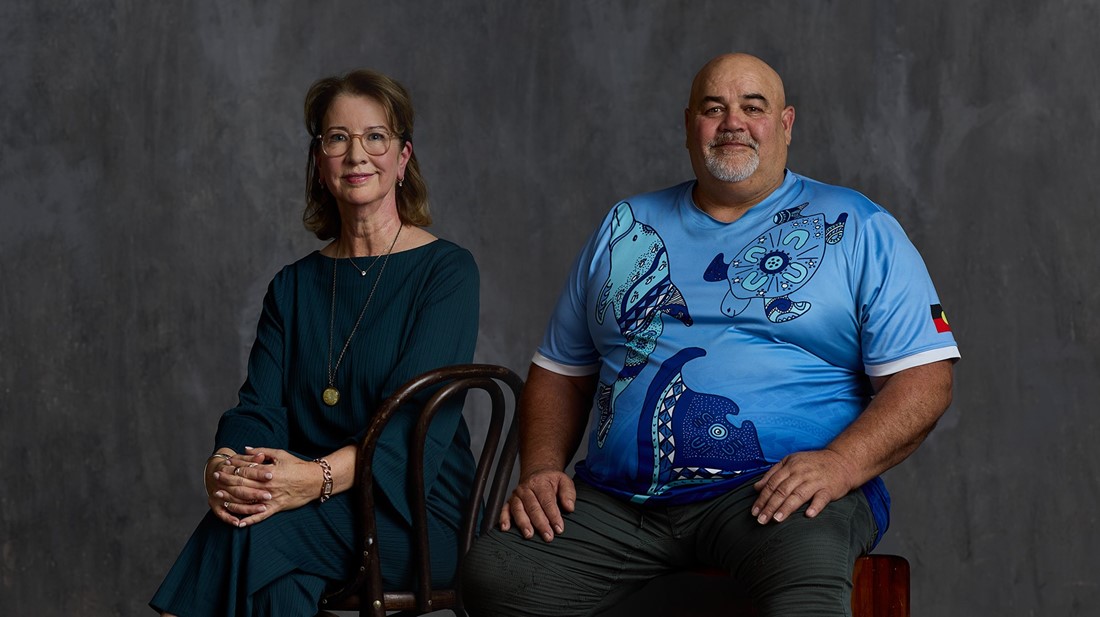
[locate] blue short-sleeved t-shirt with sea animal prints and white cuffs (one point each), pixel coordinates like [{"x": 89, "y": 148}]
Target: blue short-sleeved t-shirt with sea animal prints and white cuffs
[{"x": 722, "y": 348}]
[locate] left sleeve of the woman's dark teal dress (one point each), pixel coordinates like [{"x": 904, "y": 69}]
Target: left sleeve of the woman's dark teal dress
[{"x": 260, "y": 418}]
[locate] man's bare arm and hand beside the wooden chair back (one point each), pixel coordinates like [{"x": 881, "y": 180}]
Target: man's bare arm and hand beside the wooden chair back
[{"x": 554, "y": 414}]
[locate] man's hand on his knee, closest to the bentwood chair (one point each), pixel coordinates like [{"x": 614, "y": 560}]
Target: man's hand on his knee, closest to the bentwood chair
[{"x": 534, "y": 505}]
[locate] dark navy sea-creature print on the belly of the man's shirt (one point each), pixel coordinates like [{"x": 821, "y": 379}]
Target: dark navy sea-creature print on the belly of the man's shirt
[{"x": 696, "y": 436}]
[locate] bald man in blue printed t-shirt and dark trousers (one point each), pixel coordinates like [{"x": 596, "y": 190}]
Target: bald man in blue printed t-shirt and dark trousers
[{"x": 760, "y": 346}]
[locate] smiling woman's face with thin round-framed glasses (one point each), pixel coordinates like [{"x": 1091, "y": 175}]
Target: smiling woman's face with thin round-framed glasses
[{"x": 358, "y": 178}]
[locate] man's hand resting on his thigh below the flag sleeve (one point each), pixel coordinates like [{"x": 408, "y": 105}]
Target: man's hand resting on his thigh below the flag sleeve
[{"x": 818, "y": 477}]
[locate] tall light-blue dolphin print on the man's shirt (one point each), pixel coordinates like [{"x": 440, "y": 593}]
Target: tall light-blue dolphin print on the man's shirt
[{"x": 640, "y": 291}]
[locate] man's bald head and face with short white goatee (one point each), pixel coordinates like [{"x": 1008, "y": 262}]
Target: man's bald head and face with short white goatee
[{"x": 739, "y": 126}]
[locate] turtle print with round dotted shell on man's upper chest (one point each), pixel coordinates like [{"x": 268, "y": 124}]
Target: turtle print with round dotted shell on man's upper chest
[{"x": 779, "y": 263}]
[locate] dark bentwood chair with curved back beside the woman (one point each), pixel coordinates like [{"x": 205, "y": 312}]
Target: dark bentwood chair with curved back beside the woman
[{"x": 365, "y": 593}]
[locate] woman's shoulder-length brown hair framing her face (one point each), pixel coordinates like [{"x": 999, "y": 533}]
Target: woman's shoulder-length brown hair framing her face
[{"x": 322, "y": 215}]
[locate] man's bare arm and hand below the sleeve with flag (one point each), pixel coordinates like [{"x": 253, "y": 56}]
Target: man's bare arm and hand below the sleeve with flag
[{"x": 901, "y": 415}]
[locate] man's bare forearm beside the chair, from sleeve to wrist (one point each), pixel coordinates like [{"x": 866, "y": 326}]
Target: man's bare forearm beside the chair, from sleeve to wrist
[{"x": 554, "y": 414}]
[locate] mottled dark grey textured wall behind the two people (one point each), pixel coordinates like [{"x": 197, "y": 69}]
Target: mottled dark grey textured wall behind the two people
[{"x": 151, "y": 164}]
